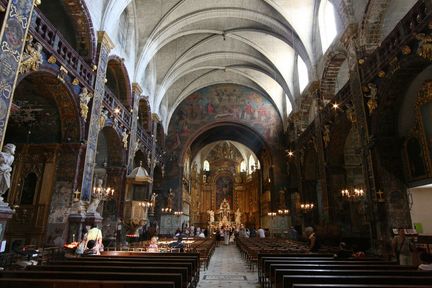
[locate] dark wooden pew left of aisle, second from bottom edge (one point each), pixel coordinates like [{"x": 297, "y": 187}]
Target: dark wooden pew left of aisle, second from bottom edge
[{"x": 71, "y": 275}]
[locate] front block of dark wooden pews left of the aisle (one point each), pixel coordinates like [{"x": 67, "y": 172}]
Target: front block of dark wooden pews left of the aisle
[{"x": 156, "y": 270}]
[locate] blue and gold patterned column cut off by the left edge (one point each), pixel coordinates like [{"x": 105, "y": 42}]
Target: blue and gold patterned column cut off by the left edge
[{"x": 13, "y": 37}]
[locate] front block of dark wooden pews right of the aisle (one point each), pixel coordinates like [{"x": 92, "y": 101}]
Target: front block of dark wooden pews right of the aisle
[{"x": 322, "y": 270}]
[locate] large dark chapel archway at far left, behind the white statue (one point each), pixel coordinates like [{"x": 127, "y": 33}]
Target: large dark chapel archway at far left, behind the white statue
[{"x": 46, "y": 128}]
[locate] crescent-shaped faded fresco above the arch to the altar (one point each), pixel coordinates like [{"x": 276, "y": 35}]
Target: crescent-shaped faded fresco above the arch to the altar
[{"x": 224, "y": 102}]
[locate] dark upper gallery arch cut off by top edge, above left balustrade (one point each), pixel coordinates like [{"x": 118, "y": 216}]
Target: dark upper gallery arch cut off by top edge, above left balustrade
[{"x": 73, "y": 20}]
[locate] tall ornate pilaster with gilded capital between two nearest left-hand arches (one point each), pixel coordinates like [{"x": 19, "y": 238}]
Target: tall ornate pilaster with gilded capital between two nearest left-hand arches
[{"x": 104, "y": 45}]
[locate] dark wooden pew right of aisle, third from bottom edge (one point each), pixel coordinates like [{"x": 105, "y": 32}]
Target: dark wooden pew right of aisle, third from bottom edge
[{"x": 281, "y": 273}]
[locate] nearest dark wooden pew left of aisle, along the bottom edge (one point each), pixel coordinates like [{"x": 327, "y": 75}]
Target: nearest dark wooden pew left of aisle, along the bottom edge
[{"x": 79, "y": 283}]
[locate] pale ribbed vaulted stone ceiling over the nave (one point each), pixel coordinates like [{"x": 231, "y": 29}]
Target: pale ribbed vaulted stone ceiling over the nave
[{"x": 176, "y": 47}]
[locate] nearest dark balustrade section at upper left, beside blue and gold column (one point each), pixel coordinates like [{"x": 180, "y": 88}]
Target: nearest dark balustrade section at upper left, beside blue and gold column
[{"x": 44, "y": 32}]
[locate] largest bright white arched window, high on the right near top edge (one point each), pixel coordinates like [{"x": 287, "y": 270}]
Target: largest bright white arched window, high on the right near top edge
[{"x": 327, "y": 24}]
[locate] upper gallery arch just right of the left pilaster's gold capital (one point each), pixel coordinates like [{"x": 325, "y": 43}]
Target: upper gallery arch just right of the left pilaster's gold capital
[{"x": 118, "y": 80}]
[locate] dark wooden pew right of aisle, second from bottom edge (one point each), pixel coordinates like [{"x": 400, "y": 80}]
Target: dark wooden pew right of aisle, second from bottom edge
[{"x": 290, "y": 280}]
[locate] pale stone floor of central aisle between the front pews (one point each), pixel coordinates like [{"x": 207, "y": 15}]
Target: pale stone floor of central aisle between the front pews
[{"x": 228, "y": 269}]
